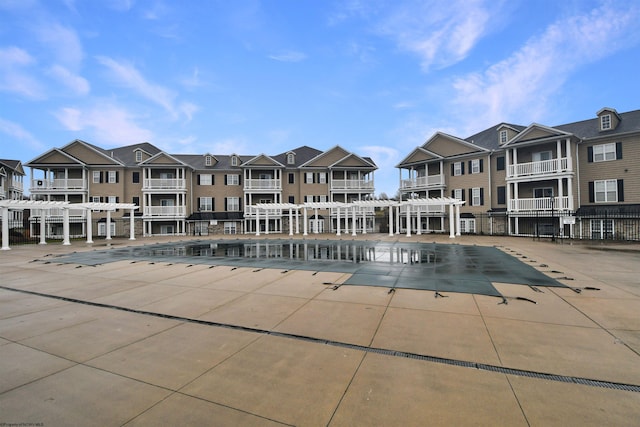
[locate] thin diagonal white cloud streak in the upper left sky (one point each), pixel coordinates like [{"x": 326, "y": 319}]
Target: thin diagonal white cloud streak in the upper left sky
[{"x": 127, "y": 75}]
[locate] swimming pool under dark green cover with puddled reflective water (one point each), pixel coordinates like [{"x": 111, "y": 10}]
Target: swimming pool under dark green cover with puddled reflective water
[{"x": 426, "y": 266}]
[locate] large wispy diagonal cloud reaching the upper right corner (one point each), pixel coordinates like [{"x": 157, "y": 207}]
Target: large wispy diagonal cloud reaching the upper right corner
[{"x": 525, "y": 83}]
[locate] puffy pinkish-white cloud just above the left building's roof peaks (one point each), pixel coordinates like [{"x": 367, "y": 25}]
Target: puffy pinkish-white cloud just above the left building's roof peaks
[{"x": 109, "y": 124}]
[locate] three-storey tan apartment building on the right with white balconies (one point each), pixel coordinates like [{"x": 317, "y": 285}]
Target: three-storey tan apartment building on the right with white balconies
[{"x": 571, "y": 180}]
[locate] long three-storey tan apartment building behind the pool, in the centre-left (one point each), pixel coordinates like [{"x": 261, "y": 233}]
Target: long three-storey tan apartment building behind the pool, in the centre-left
[{"x": 195, "y": 194}]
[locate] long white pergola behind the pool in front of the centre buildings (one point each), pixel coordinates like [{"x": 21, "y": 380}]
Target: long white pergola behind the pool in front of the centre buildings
[{"x": 353, "y": 208}]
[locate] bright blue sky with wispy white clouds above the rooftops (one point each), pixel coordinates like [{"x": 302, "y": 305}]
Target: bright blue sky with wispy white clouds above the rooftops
[{"x": 248, "y": 77}]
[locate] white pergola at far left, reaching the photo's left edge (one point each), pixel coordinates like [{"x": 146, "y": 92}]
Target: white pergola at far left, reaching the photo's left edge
[{"x": 44, "y": 205}]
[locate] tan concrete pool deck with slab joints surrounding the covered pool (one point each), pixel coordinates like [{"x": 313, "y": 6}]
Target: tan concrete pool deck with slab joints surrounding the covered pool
[{"x": 146, "y": 344}]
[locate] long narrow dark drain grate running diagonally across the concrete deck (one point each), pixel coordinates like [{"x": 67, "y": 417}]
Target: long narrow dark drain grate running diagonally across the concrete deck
[{"x": 387, "y": 352}]
